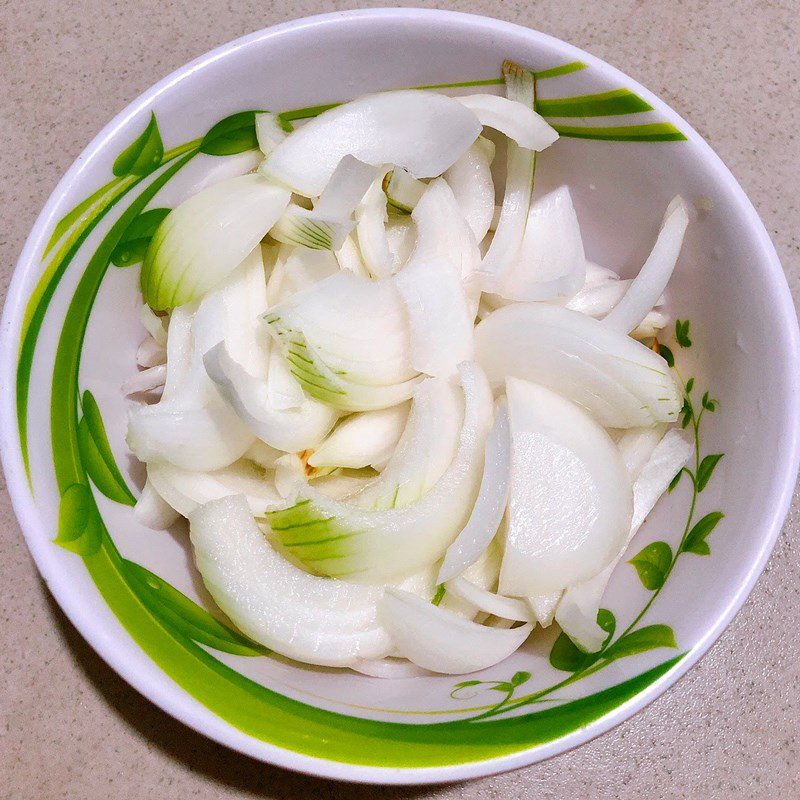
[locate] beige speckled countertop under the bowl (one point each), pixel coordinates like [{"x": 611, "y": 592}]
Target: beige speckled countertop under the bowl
[{"x": 69, "y": 727}]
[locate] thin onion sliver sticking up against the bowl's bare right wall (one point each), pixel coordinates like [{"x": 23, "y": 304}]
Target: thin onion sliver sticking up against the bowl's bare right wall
[{"x": 649, "y": 284}]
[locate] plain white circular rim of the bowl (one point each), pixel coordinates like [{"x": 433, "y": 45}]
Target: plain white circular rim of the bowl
[{"x": 163, "y": 693}]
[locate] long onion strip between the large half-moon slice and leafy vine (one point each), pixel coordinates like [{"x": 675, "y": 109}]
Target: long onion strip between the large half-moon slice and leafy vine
[{"x": 577, "y": 611}]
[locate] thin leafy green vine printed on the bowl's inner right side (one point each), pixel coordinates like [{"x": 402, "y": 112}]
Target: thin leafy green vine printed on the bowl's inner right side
[{"x": 654, "y": 564}]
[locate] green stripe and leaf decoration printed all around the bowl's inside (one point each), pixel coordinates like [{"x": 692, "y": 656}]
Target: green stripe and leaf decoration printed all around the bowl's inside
[{"x": 167, "y": 624}]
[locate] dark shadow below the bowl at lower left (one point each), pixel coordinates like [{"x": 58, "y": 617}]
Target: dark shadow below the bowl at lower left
[{"x": 195, "y": 752}]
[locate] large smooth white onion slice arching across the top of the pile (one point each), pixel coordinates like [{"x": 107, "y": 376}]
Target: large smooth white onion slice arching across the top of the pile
[{"x": 422, "y": 131}]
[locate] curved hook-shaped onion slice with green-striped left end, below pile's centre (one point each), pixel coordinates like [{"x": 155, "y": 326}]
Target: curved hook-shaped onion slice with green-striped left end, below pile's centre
[{"x": 340, "y": 539}]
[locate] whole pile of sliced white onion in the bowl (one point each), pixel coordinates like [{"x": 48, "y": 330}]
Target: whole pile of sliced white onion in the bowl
[{"x": 407, "y": 426}]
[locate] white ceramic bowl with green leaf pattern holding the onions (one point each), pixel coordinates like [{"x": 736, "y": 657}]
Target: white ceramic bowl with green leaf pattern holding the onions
[{"x": 81, "y": 331}]
